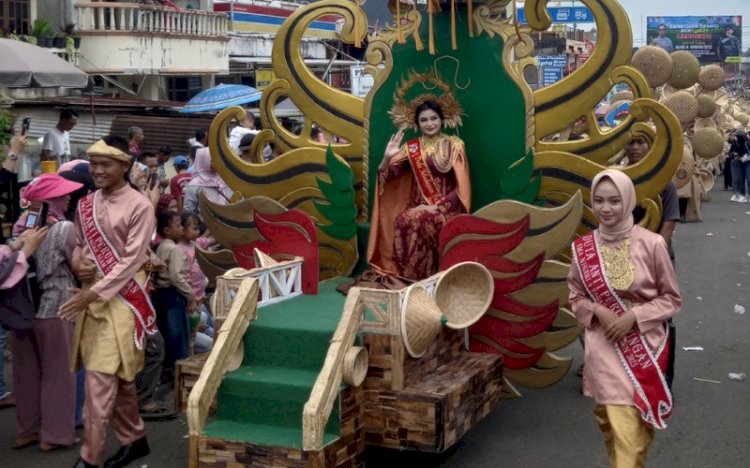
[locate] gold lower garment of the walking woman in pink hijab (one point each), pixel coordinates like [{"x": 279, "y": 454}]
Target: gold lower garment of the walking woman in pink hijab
[{"x": 626, "y": 435}]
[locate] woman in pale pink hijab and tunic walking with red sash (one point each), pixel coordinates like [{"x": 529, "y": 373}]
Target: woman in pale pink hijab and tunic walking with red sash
[{"x": 623, "y": 290}]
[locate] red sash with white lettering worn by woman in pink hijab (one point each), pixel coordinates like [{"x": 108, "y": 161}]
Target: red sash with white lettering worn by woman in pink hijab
[{"x": 645, "y": 368}]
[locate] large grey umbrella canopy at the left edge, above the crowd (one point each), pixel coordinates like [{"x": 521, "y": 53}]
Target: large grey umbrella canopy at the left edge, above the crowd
[{"x": 26, "y": 65}]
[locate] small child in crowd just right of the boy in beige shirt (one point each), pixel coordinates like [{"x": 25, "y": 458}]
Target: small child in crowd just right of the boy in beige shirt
[{"x": 191, "y": 226}]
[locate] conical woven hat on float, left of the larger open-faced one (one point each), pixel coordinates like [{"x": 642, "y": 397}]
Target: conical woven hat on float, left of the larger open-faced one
[{"x": 421, "y": 320}]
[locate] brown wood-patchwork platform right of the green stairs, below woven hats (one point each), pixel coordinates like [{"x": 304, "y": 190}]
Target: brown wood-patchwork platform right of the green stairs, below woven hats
[{"x": 443, "y": 395}]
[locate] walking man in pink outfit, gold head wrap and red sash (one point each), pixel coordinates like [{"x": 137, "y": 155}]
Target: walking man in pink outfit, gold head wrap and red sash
[{"x": 113, "y": 312}]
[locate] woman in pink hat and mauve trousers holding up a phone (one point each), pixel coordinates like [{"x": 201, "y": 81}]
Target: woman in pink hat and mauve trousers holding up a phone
[{"x": 45, "y": 387}]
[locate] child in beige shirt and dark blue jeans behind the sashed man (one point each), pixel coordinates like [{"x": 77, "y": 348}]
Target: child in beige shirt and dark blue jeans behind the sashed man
[{"x": 174, "y": 292}]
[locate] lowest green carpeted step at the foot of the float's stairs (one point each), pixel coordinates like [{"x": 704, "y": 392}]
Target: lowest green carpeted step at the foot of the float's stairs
[{"x": 260, "y": 434}]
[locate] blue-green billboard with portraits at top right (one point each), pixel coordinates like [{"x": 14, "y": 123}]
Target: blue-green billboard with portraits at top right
[{"x": 710, "y": 38}]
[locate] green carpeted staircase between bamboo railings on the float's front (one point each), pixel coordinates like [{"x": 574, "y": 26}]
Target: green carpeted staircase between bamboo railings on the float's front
[{"x": 262, "y": 401}]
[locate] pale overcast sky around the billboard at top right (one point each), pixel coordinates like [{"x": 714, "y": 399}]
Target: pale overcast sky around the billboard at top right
[{"x": 638, "y": 10}]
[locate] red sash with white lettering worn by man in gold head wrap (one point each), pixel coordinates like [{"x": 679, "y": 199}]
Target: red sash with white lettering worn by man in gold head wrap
[{"x": 133, "y": 294}]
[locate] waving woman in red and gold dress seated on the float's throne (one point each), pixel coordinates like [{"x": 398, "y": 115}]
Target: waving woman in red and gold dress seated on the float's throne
[{"x": 420, "y": 186}]
